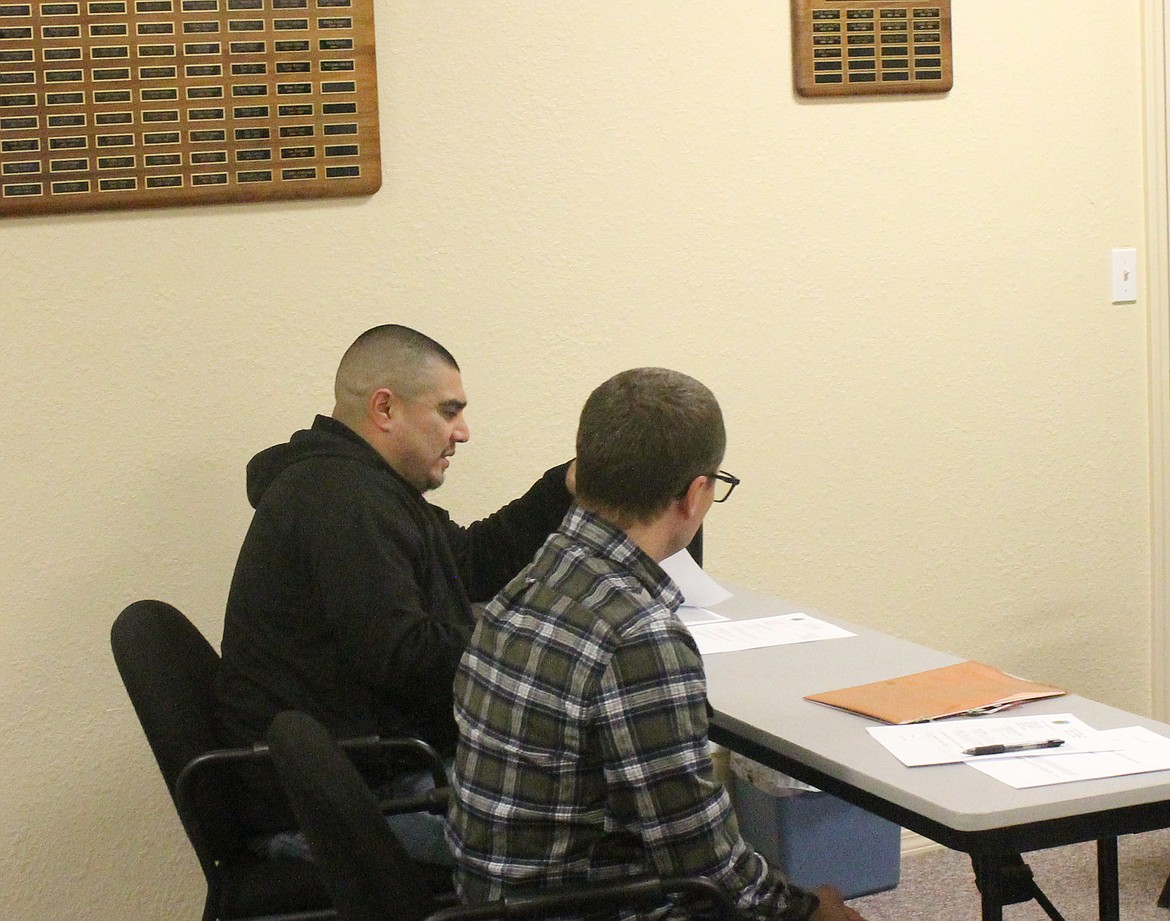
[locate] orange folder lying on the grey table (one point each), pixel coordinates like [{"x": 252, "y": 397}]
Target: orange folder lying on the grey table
[{"x": 963, "y": 690}]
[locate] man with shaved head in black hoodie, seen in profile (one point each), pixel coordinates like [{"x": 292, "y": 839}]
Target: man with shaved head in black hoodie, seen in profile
[{"x": 353, "y": 595}]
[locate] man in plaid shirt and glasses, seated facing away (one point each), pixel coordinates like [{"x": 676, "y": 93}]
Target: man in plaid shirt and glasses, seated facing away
[{"x": 582, "y": 699}]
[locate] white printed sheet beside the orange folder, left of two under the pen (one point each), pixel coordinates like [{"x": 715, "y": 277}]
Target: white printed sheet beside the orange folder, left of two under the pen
[{"x": 945, "y": 741}]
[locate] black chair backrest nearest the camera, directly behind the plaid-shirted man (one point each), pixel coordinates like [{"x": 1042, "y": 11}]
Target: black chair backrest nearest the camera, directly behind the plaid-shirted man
[{"x": 368, "y": 872}]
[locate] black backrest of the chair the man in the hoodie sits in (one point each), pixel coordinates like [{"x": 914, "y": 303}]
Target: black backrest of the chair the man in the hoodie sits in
[{"x": 169, "y": 670}]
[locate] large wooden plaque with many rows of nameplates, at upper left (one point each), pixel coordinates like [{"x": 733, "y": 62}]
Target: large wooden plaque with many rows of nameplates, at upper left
[{"x": 139, "y": 104}]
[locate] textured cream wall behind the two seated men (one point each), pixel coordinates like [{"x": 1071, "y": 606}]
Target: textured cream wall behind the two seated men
[{"x": 939, "y": 417}]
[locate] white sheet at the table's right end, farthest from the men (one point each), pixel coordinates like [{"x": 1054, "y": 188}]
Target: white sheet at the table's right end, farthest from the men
[{"x": 1138, "y": 751}]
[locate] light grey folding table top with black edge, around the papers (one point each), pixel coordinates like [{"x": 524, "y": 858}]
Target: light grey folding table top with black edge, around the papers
[{"x": 758, "y": 696}]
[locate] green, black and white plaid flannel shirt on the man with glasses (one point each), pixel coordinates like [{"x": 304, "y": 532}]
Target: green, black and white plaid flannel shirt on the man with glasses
[{"x": 583, "y": 752}]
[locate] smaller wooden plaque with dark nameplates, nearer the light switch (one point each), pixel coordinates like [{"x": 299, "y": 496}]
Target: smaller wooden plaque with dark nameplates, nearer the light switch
[{"x": 864, "y": 47}]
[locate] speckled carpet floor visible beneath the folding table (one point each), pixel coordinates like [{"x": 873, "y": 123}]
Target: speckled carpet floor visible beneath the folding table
[{"x": 938, "y": 885}]
